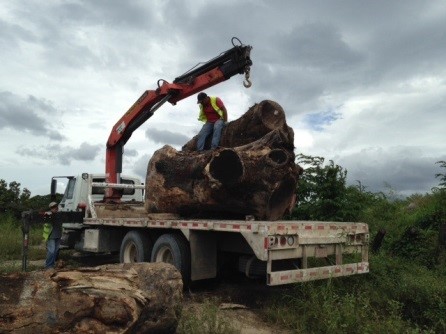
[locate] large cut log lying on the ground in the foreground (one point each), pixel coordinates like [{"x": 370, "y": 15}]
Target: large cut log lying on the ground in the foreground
[{"x": 122, "y": 298}]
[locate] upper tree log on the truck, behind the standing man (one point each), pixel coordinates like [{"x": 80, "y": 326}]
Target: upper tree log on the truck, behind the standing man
[{"x": 259, "y": 120}]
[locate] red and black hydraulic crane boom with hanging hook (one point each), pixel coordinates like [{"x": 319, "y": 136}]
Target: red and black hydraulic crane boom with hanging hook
[{"x": 231, "y": 62}]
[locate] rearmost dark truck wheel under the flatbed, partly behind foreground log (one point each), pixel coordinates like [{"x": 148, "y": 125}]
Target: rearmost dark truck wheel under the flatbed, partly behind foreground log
[{"x": 173, "y": 249}]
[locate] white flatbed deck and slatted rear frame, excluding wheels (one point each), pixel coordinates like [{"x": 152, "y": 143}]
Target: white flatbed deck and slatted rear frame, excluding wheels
[{"x": 308, "y": 242}]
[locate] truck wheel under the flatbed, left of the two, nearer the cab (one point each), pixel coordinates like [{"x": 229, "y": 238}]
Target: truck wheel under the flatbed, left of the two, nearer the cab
[{"x": 135, "y": 247}]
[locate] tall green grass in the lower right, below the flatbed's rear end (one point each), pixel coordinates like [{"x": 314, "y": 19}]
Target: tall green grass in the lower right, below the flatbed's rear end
[{"x": 394, "y": 297}]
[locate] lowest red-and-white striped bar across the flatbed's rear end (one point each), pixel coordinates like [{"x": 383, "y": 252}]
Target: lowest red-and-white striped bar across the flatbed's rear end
[{"x": 303, "y": 275}]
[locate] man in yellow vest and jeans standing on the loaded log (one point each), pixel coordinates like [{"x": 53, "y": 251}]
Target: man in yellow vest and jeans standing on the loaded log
[{"x": 213, "y": 112}]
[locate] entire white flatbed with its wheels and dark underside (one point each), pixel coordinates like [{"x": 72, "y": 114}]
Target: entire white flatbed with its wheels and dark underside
[{"x": 283, "y": 251}]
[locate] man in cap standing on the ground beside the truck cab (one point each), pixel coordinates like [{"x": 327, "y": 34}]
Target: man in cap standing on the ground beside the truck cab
[{"x": 52, "y": 232}]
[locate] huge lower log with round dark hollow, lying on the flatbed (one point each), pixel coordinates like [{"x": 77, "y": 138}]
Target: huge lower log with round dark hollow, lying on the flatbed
[{"x": 256, "y": 179}]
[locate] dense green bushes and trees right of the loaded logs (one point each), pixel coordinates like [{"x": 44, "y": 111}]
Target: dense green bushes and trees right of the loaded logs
[{"x": 411, "y": 225}]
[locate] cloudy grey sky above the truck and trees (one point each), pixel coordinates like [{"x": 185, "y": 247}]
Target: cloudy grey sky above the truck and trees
[{"x": 361, "y": 82}]
